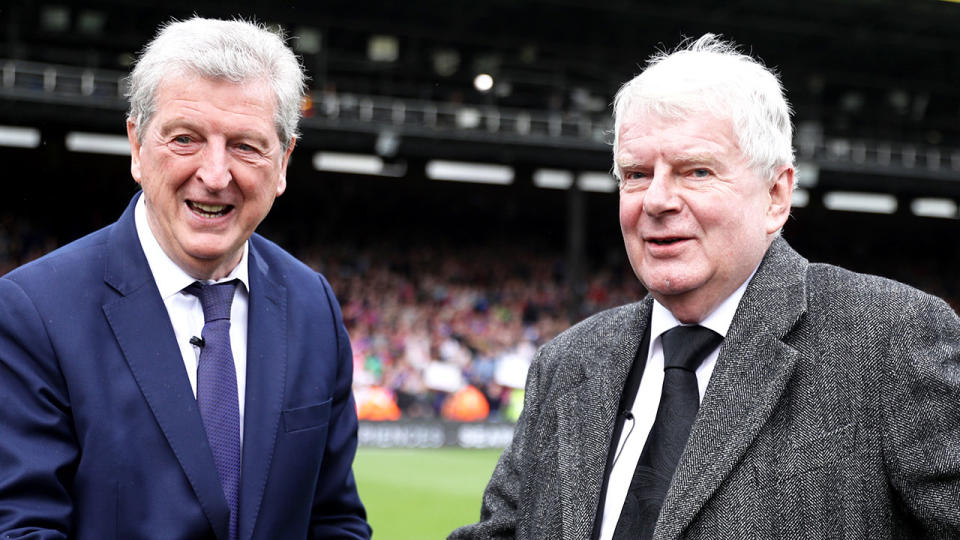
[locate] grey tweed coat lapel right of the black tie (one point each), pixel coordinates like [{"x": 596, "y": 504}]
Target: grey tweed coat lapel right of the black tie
[{"x": 751, "y": 374}]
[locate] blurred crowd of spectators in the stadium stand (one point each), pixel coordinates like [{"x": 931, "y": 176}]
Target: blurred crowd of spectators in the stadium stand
[{"x": 430, "y": 319}]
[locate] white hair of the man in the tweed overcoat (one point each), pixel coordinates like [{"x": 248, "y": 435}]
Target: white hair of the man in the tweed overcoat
[{"x": 711, "y": 76}]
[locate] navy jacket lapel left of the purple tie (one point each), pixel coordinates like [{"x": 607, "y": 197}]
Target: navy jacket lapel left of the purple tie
[{"x": 141, "y": 325}]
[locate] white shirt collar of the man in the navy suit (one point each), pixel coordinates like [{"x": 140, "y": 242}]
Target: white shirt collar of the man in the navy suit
[{"x": 170, "y": 278}]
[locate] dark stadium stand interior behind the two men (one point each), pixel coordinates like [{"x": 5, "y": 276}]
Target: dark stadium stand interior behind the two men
[{"x": 875, "y": 85}]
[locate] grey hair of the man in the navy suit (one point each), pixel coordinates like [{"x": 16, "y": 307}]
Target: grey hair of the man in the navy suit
[{"x": 235, "y": 51}]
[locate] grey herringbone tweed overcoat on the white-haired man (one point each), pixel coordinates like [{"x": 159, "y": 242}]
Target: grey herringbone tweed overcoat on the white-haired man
[{"x": 833, "y": 412}]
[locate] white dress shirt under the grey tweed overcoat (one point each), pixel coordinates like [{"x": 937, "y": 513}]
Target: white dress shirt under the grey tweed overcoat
[{"x": 635, "y": 431}]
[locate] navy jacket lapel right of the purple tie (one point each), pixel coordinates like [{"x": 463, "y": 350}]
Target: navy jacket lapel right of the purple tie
[{"x": 266, "y": 374}]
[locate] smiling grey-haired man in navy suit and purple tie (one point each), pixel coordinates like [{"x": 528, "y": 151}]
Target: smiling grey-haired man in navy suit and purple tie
[{"x": 175, "y": 375}]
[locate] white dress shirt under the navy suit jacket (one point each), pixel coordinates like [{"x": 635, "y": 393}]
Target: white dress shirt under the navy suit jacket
[{"x": 185, "y": 310}]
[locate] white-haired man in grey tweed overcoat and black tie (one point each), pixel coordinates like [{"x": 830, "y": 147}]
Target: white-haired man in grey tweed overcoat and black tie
[{"x": 831, "y": 407}]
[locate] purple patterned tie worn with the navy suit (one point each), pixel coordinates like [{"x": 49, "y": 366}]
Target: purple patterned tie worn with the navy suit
[{"x": 217, "y": 389}]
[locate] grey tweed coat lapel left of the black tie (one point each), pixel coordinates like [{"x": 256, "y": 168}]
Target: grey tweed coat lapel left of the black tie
[{"x": 586, "y": 416}]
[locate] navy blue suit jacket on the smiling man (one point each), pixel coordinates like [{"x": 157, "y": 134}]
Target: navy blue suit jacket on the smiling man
[{"x": 100, "y": 435}]
